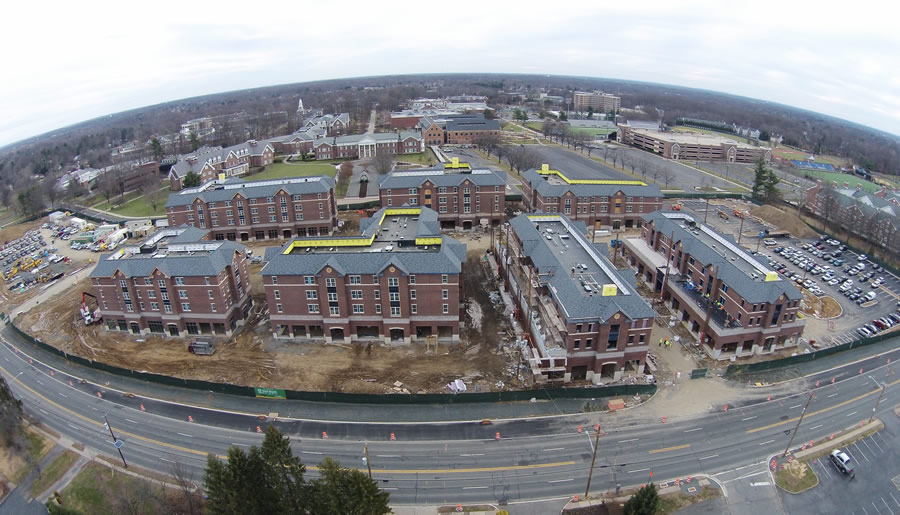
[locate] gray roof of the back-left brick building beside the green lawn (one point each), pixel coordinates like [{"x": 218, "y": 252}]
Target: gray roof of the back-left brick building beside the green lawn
[{"x": 252, "y": 189}]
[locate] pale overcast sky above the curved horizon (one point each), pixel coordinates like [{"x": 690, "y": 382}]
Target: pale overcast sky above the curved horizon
[{"x": 70, "y": 62}]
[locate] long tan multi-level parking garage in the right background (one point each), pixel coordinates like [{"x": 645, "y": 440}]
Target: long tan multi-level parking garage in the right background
[{"x": 692, "y": 146}]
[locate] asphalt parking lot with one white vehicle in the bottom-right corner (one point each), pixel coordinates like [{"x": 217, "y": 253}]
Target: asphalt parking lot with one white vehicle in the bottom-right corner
[{"x": 874, "y": 487}]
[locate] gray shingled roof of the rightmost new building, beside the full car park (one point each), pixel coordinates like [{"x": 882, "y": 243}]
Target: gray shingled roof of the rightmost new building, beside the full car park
[{"x": 751, "y": 290}]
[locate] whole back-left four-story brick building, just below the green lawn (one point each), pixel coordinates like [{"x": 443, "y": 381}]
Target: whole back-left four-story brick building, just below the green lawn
[{"x": 233, "y": 209}]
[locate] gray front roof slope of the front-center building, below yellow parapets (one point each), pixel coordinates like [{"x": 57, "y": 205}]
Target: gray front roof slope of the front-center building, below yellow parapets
[{"x": 447, "y": 260}]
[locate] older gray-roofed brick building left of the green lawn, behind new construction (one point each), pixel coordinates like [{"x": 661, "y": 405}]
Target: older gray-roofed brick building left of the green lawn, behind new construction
[{"x": 233, "y": 161}]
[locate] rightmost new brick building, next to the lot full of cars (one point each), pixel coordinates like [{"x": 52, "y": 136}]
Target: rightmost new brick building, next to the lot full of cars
[{"x": 734, "y": 304}]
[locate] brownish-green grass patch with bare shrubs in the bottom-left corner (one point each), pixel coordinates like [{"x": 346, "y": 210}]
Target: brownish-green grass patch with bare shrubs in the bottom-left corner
[{"x": 93, "y": 490}]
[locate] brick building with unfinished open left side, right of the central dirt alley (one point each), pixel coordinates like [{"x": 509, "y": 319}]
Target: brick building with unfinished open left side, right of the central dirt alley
[{"x": 584, "y": 317}]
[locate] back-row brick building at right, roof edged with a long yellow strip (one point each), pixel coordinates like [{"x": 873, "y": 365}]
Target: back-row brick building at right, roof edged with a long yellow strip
[{"x": 595, "y": 201}]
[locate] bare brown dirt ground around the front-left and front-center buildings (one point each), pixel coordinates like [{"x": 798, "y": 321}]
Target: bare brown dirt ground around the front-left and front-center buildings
[{"x": 484, "y": 359}]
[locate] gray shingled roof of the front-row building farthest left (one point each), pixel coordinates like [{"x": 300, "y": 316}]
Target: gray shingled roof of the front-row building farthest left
[{"x": 201, "y": 264}]
